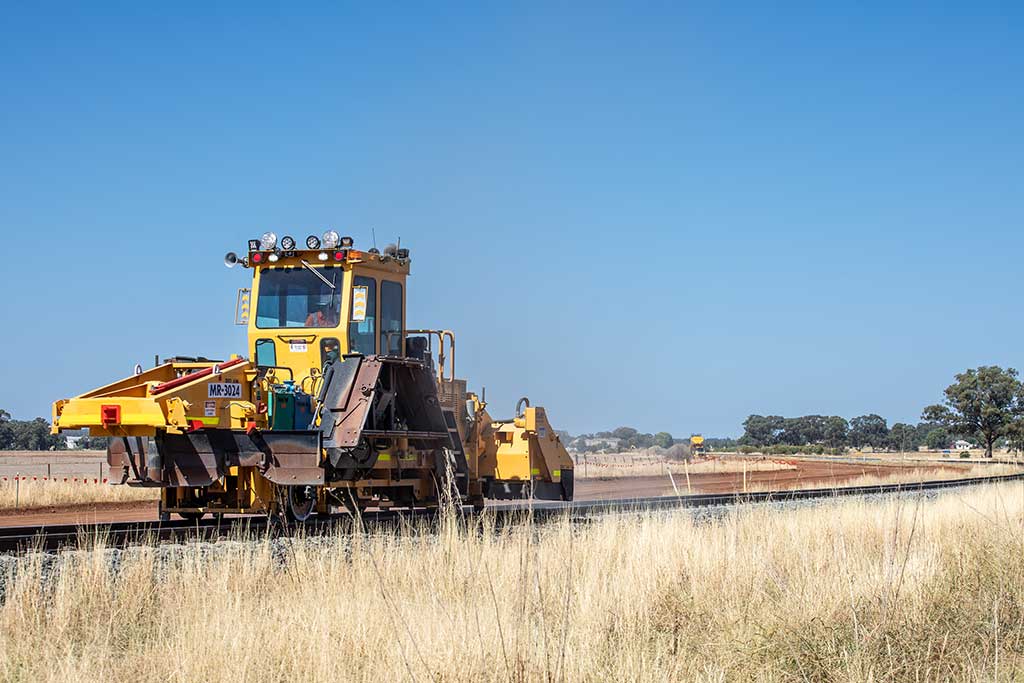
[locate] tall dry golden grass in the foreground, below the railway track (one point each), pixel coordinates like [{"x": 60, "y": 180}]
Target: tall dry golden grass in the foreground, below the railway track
[{"x": 911, "y": 590}]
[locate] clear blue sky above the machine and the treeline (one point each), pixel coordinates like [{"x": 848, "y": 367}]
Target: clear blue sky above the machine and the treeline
[{"x": 665, "y": 216}]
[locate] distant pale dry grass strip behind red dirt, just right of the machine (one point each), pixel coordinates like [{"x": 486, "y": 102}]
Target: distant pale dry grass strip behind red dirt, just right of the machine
[{"x": 604, "y": 467}]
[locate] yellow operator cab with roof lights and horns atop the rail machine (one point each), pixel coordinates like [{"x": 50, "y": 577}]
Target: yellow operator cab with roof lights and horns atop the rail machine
[{"x": 312, "y": 306}]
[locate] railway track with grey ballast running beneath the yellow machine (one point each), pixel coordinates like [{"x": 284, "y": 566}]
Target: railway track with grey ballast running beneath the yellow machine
[{"x": 48, "y": 538}]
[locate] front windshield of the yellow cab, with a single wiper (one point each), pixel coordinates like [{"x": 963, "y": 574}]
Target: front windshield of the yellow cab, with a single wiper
[{"x": 294, "y": 297}]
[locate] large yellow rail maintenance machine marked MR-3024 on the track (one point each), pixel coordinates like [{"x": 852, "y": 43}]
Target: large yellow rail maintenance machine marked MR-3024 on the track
[{"x": 338, "y": 405}]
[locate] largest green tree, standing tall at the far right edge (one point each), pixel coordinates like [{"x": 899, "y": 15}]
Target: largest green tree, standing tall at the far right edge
[{"x": 984, "y": 402}]
